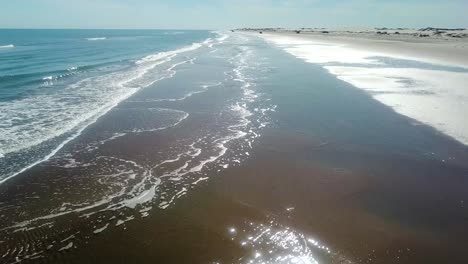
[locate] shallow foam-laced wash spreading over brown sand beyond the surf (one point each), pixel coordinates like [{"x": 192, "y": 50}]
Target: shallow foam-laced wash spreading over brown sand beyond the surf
[{"x": 97, "y": 185}]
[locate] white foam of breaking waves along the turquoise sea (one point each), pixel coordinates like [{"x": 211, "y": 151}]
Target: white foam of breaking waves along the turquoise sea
[{"x": 43, "y": 115}]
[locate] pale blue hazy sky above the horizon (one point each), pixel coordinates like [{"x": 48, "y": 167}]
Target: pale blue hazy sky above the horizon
[{"x": 226, "y": 14}]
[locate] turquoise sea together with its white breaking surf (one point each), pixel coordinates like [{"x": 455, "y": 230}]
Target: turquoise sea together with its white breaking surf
[{"x": 54, "y": 83}]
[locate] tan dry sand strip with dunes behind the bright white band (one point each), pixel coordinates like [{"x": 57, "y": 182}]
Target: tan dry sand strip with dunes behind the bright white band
[{"x": 449, "y": 48}]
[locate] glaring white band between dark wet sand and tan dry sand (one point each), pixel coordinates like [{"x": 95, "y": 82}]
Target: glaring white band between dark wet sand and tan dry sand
[{"x": 434, "y": 97}]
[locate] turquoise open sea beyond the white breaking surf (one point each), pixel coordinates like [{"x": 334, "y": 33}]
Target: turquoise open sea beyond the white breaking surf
[{"x": 35, "y": 55}]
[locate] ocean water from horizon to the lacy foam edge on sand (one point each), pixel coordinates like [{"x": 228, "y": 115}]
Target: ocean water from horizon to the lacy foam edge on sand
[{"x": 101, "y": 128}]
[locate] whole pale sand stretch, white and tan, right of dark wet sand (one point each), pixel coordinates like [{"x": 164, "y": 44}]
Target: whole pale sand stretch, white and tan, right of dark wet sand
[{"x": 423, "y": 81}]
